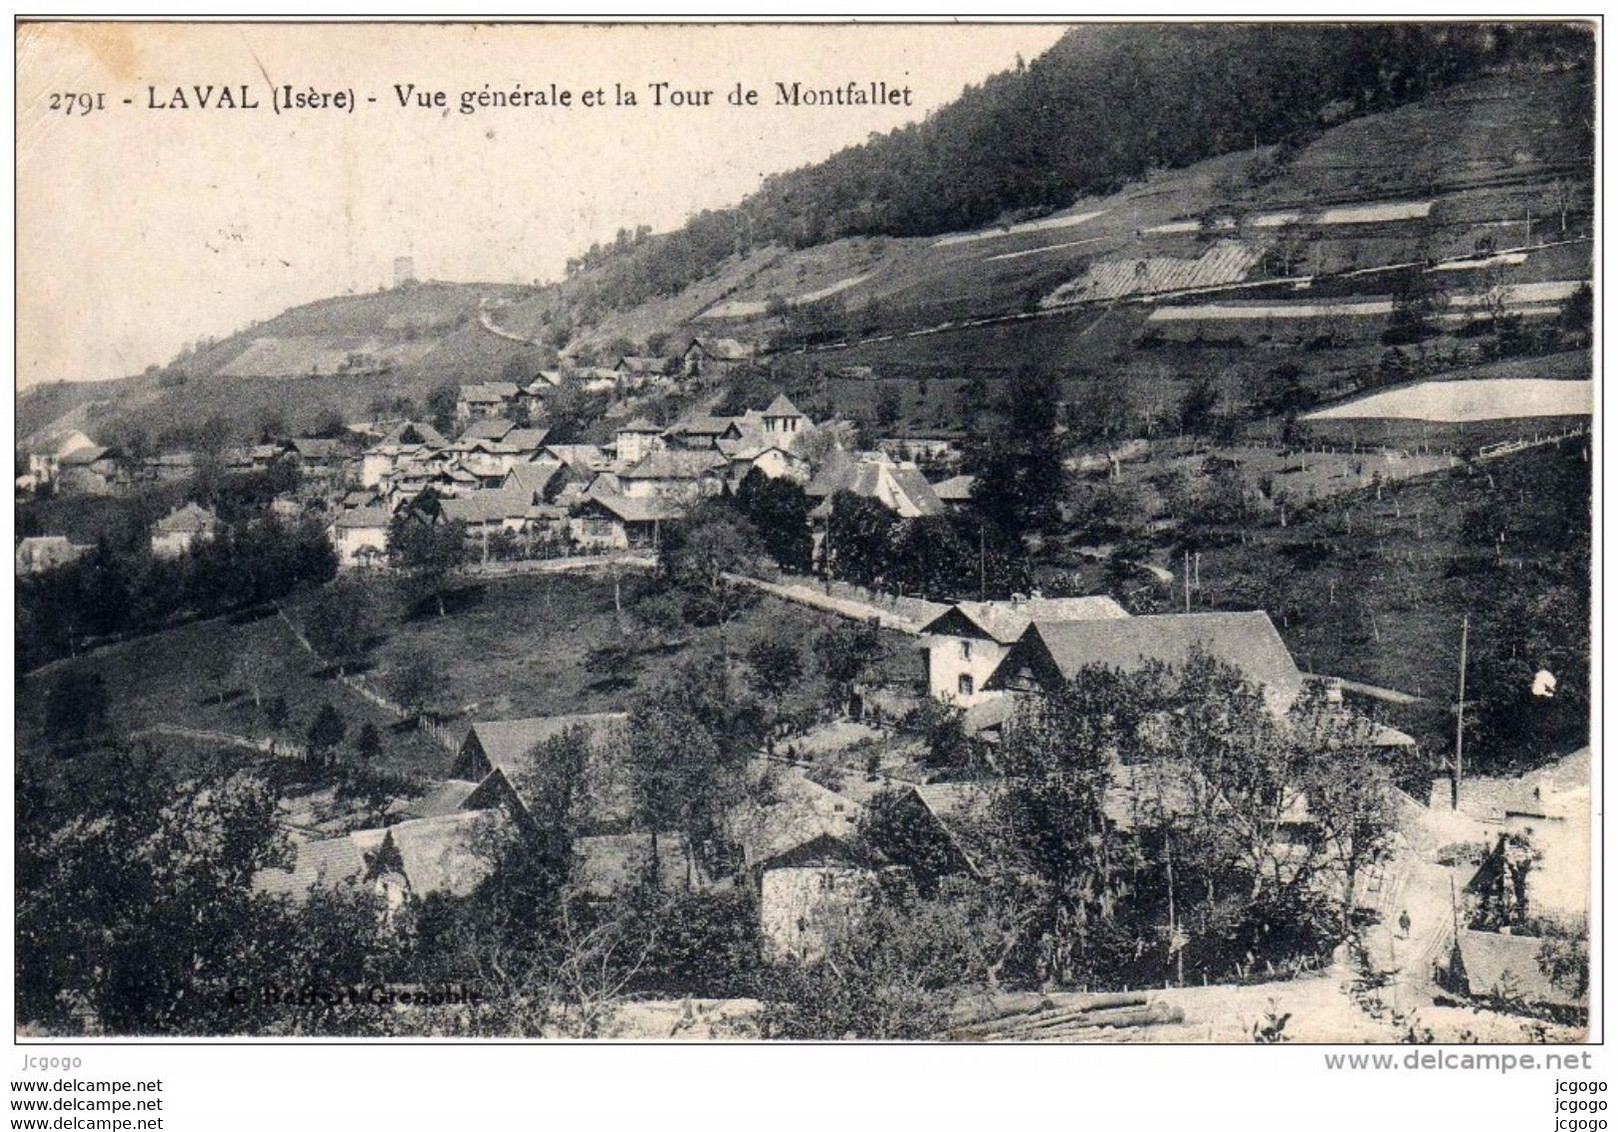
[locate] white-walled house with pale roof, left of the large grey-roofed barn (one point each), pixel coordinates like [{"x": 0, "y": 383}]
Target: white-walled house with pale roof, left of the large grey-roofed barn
[{"x": 967, "y": 644}]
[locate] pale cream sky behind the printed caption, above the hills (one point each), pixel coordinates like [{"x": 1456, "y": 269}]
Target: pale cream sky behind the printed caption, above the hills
[{"x": 145, "y": 229}]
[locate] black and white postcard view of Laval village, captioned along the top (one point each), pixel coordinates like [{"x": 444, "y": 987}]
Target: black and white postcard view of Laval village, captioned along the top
[{"x": 807, "y": 533}]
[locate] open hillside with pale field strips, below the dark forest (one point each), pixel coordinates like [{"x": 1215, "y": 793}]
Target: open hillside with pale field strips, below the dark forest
[{"x": 1219, "y": 269}]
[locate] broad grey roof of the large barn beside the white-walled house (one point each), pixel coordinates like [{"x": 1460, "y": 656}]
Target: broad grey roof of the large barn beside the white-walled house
[{"x": 1051, "y": 653}]
